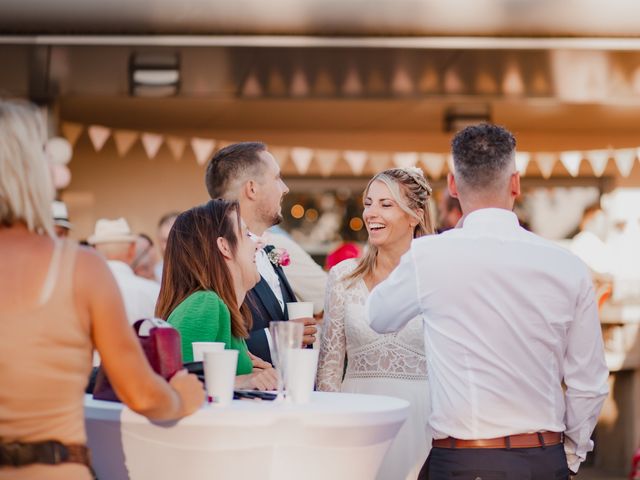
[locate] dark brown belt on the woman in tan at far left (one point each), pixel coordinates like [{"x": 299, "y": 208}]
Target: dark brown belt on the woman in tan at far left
[{"x": 50, "y": 452}]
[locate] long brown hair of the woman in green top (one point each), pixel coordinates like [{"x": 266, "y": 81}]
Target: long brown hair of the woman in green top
[{"x": 193, "y": 262}]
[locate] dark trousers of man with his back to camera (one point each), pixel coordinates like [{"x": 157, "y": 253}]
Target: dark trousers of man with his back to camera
[{"x": 541, "y": 463}]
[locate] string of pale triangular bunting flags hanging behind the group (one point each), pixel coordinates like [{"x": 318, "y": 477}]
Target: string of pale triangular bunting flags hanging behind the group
[{"x": 435, "y": 164}]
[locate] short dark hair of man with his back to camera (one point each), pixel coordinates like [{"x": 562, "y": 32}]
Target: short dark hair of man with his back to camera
[{"x": 481, "y": 153}]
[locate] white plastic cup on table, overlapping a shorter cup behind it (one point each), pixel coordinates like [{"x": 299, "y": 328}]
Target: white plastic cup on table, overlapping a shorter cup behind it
[{"x": 219, "y": 375}]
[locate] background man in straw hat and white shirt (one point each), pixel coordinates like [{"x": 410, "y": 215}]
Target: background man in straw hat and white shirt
[{"x": 114, "y": 239}]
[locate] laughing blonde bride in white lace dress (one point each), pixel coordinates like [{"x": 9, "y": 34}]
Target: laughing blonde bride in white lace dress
[{"x": 395, "y": 212}]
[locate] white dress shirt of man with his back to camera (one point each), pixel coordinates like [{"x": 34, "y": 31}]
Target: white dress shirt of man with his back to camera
[{"x": 508, "y": 316}]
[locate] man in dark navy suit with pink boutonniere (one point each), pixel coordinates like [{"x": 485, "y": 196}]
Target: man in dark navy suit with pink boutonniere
[{"x": 248, "y": 173}]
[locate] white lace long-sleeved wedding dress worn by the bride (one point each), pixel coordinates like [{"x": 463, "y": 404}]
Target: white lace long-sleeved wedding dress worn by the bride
[{"x": 391, "y": 364}]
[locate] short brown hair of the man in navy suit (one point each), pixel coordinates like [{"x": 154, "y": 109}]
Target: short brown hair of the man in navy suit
[{"x": 230, "y": 163}]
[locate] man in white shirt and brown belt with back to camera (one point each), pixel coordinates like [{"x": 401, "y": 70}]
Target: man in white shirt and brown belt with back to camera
[{"x": 508, "y": 317}]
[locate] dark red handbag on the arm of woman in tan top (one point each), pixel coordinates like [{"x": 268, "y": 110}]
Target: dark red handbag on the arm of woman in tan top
[{"x": 161, "y": 345}]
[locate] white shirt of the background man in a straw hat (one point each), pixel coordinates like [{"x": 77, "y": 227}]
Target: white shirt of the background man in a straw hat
[{"x": 139, "y": 294}]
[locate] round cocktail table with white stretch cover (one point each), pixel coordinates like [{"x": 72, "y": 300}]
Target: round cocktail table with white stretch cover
[{"x": 336, "y": 436}]
